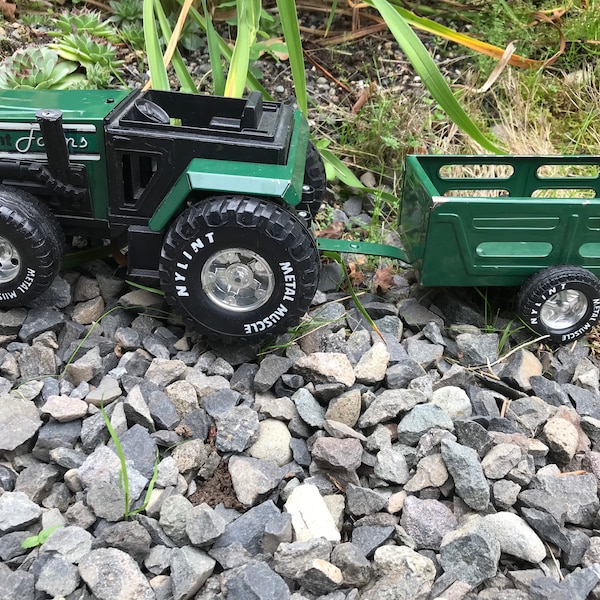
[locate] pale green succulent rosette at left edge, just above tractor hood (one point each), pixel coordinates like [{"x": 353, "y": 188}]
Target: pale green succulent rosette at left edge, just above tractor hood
[{"x": 38, "y": 68}]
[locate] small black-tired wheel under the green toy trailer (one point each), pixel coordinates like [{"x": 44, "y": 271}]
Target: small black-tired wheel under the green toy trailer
[{"x": 562, "y": 302}]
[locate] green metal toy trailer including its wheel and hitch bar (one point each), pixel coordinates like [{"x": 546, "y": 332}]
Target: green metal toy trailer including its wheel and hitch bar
[{"x": 534, "y": 222}]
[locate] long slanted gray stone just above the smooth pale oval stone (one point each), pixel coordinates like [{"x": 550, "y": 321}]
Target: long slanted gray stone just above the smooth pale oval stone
[{"x": 464, "y": 466}]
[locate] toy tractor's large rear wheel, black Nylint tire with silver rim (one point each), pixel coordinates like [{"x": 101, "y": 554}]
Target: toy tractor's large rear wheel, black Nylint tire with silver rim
[{"x": 238, "y": 267}]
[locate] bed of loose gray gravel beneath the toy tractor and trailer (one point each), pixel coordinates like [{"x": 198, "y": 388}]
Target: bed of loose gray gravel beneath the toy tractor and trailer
[{"x": 345, "y": 466}]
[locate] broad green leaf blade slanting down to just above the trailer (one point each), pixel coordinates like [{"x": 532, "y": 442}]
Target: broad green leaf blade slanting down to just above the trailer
[{"x": 426, "y": 68}]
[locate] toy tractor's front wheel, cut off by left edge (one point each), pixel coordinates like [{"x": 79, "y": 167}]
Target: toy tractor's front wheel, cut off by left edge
[{"x": 31, "y": 247}]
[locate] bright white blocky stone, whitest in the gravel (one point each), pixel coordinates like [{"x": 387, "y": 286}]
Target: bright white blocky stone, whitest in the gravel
[{"x": 310, "y": 516}]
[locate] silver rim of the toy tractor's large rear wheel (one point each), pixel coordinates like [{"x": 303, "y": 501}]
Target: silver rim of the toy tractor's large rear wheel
[{"x": 237, "y": 279}]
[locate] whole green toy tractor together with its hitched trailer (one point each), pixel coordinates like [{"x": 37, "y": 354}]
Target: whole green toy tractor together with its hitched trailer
[{"x": 214, "y": 196}]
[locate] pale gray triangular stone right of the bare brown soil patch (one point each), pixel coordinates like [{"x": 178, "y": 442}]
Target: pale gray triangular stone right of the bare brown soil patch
[{"x": 253, "y": 478}]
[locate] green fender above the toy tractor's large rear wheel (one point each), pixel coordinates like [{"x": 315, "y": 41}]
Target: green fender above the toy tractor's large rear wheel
[{"x": 230, "y": 177}]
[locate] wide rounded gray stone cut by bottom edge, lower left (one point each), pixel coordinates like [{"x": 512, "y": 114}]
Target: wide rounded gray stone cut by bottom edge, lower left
[{"x": 113, "y": 575}]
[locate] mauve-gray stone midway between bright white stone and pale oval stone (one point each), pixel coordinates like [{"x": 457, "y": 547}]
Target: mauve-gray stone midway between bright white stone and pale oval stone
[{"x": 427, "y": 521}]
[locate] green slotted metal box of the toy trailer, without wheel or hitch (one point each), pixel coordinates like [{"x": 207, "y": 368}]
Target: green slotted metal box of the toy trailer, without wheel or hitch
[{"x": 467, "y": 238}]
